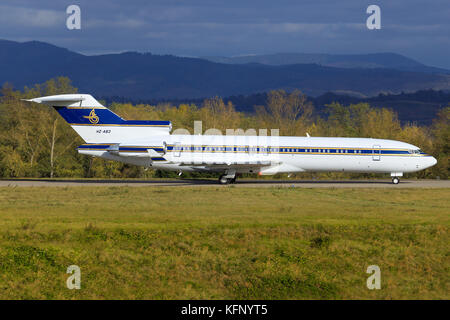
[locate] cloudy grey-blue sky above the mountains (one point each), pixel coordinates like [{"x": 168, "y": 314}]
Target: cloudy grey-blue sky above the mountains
[{"x": 417, "y": 29}]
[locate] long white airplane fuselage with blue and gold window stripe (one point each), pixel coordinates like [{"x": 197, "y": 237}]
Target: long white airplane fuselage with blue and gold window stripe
[{"x": 270, "y": 155}]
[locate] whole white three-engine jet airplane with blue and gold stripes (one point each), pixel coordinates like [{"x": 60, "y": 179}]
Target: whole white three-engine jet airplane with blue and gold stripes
[{"x": 150, "y": 144}]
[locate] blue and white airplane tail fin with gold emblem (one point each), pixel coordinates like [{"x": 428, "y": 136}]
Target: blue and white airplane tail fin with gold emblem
[{"x": 96, "y": 123}]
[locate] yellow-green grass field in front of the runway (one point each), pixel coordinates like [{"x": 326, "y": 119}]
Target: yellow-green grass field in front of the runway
[{"x": 224, "y": 243}]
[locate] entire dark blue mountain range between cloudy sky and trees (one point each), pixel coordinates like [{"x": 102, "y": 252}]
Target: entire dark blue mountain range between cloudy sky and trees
[{"x": 148, "y": 76}]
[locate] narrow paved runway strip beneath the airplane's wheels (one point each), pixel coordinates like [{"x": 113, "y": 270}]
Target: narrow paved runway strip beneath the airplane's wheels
[{"x": 240, "y": 183}]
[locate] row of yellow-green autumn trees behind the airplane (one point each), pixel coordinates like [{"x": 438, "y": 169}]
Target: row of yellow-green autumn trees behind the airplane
[{"x": 36, "y": 142}]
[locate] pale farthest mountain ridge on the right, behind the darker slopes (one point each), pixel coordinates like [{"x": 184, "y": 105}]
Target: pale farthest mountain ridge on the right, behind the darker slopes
[{"x": 373, "y": 60}]
